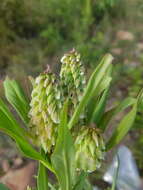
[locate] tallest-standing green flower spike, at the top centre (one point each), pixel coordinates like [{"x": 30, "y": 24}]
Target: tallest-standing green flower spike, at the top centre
[{"x": 72, "y": 77}]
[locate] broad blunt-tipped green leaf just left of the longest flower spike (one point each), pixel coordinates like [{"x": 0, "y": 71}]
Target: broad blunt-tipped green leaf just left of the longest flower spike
[{"x": 16, "y": 97}]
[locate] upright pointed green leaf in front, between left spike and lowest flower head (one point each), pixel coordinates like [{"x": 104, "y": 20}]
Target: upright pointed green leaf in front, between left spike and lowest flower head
[{"x": 63, "y": 159}]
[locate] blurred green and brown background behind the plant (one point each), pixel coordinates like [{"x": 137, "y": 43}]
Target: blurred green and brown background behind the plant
[{"x": 35, "y": 33}]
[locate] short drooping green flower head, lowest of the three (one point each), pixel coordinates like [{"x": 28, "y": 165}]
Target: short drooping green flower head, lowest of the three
[{"x": 89, "y": 145}]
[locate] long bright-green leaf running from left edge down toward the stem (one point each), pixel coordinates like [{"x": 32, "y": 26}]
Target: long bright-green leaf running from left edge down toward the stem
[{"x": 10, "y": 126}]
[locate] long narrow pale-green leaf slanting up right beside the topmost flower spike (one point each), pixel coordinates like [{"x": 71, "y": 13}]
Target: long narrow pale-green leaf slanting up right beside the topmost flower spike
[{"x": 95, "y": 79}]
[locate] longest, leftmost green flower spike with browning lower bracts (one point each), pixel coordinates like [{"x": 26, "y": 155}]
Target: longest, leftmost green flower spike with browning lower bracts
[{"x": 44, "y": 113}]
